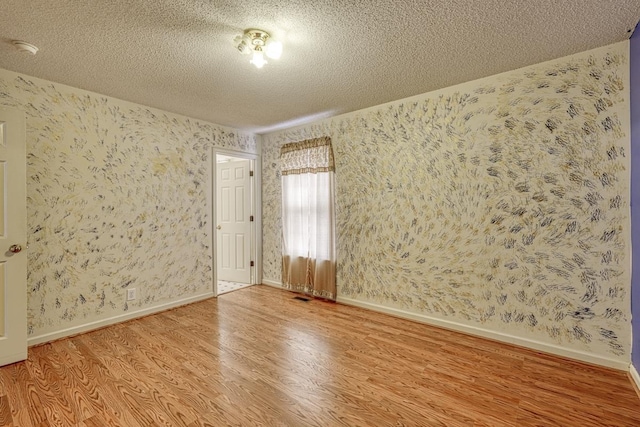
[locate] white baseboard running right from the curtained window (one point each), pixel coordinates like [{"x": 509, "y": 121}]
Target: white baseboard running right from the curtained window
[{"x": 498, "y": 336}]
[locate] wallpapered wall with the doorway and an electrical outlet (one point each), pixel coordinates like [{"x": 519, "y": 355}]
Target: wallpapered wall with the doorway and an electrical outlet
[{"x": 116, "y": 199}]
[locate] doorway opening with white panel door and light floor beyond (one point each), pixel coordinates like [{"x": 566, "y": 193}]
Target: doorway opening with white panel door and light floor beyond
[{"x": 236, "y": 201}]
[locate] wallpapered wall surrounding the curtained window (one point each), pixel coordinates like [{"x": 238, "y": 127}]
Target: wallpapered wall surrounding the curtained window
[{"x": 501, "y": 203}]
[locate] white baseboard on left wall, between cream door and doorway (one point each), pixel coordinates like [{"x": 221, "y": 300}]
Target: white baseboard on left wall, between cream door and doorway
[{"x": 75, "y": 330}]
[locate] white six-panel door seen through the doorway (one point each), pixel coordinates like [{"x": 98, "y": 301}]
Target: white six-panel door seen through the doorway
[{"x": 233, "y": 212}]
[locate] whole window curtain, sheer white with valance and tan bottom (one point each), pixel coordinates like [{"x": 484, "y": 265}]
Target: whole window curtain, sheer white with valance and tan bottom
[{"x": 308, "y": 218}]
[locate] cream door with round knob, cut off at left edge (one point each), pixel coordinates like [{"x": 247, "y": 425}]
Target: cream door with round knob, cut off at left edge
[{"x": 13, "y": 238}]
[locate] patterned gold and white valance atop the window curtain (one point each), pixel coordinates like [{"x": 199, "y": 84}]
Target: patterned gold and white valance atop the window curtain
[{"x": 309, "y": 156}]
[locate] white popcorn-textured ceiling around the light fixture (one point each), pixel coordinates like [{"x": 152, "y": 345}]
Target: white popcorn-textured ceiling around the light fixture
[{"x": 339, "y": 56}]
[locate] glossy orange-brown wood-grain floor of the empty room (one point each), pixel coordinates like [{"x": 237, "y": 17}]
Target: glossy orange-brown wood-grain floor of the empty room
[{"x": 257, "y": 356}]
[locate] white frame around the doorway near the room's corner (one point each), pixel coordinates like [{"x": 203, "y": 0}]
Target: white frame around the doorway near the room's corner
[{"x": 256, "y": 210}]
